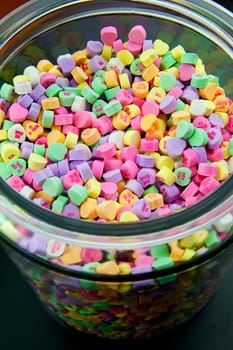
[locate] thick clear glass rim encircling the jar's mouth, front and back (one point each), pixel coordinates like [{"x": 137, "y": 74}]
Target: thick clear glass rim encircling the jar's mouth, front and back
[{"x": 211, "y": 205}]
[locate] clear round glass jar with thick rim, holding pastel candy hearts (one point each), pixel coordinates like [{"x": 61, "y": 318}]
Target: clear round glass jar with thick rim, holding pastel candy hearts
[{"x": 119, "y": 280}]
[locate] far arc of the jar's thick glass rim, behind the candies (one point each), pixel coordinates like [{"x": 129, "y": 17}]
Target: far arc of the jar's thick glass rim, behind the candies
[{"x": 212, "y": 19}]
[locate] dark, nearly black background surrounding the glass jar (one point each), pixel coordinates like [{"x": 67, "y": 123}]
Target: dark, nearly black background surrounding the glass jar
[{"x": 24, "y": 324}]
